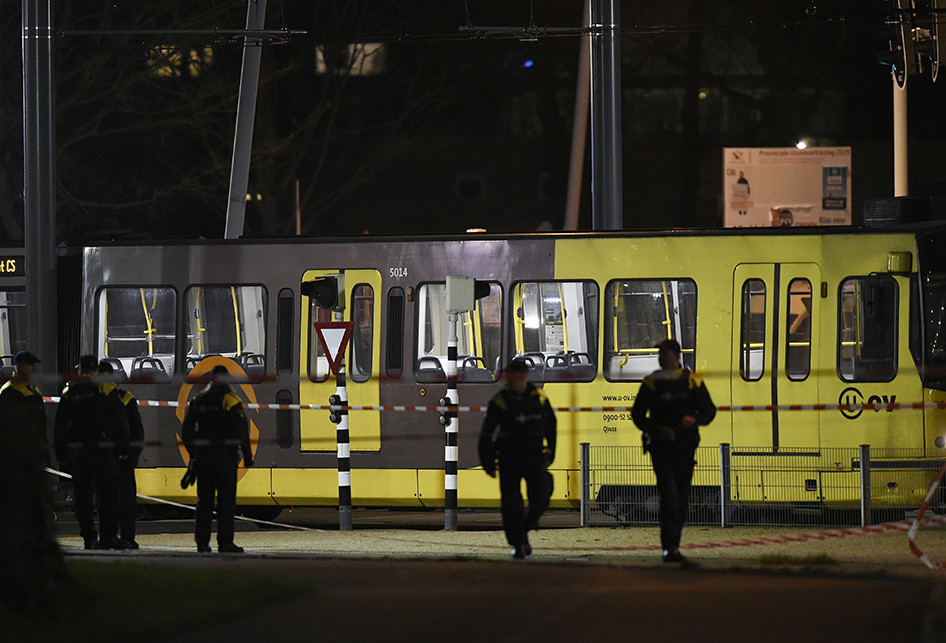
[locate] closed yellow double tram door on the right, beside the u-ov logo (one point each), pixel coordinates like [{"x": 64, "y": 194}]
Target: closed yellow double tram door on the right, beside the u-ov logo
[{"x": 776, "y": 317}]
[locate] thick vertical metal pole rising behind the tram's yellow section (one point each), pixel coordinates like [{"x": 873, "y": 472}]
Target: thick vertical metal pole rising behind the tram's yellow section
[{"x": 606, "y": 164}]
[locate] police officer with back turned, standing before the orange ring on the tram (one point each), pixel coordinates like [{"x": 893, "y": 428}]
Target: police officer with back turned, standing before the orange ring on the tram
[{"x": 214, "y": 431}]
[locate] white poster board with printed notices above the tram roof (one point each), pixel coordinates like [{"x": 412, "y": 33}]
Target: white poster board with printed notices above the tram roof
[{"x": 786, "y": 186}]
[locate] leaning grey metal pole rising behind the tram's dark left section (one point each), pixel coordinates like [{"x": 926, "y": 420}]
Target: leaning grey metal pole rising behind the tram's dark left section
[{"x": 246, "y": 116}]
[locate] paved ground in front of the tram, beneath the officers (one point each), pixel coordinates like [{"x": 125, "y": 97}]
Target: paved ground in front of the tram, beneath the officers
[{"x": 398, "y": 576}]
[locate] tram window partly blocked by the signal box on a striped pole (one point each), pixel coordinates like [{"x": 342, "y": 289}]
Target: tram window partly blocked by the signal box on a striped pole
[{"x": 479, "y": 336}]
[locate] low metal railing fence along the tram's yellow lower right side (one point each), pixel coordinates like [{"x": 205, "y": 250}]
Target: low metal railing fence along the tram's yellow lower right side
[{"x": 743, "y": 485}]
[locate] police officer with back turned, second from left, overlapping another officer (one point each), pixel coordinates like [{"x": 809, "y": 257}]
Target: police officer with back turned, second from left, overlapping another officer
[{"x": 90, "y": 436}]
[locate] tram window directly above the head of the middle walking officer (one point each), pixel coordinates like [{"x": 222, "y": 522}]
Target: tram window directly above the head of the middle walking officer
[{"x": 556, "y": 329}]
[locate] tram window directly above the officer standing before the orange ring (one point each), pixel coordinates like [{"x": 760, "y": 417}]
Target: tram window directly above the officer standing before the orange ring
[{"x": 228, "y": 321}]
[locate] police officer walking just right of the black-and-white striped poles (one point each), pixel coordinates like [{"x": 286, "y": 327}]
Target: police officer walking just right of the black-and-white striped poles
[{"x": 520, "y": 431}]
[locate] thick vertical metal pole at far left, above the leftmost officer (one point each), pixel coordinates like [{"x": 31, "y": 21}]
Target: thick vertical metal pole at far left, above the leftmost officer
[{"x": 39, "y": 172}]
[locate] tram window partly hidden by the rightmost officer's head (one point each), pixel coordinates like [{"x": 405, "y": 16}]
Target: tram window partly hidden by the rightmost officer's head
[{"x": 642, "y": 313}]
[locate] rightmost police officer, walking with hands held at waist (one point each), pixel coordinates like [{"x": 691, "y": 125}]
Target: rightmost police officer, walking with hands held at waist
[{"x": 669, "y": 409}]
